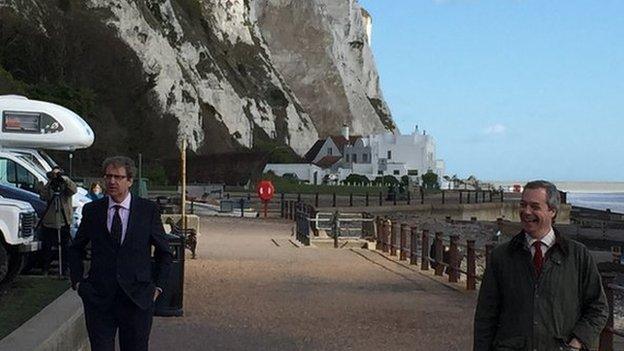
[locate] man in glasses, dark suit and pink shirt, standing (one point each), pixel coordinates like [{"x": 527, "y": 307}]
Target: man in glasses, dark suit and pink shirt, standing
[{"x": 120, "y": 288}]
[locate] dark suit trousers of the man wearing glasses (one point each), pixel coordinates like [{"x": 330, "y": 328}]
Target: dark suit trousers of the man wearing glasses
[{"x": 133, "y": 324}]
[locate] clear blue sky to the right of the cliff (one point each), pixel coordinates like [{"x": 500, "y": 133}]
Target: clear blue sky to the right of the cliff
[{"x": 509, "y": 89}]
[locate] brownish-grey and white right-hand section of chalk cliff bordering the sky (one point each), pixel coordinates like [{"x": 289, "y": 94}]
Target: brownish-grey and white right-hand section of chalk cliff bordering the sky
[{"x": 323, "y": 51}]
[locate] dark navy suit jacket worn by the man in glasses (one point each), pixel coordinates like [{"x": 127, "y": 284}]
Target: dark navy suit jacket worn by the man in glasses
[{"x": 127, "y": 265}]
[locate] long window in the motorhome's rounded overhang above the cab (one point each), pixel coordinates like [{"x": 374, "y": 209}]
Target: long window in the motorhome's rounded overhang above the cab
[{"x": 29, "y": 123}]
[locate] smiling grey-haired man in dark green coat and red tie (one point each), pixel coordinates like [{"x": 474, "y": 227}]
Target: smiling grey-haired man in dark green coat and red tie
[{"x": 540, "y": 291}]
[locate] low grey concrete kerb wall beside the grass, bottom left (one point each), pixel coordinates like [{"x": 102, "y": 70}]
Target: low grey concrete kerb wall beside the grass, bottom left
[{"x": 60, "y": 326}]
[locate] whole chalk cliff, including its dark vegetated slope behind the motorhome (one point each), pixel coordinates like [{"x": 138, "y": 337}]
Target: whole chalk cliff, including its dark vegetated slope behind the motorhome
[{"x": 226, "y": 75}]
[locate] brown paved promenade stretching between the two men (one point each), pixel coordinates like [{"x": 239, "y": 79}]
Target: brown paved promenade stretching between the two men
[{"x": 251, "y": 289}]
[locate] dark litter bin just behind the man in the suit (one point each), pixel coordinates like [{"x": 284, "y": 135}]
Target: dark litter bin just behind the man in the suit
[{"x": 169, "y": 303}]
